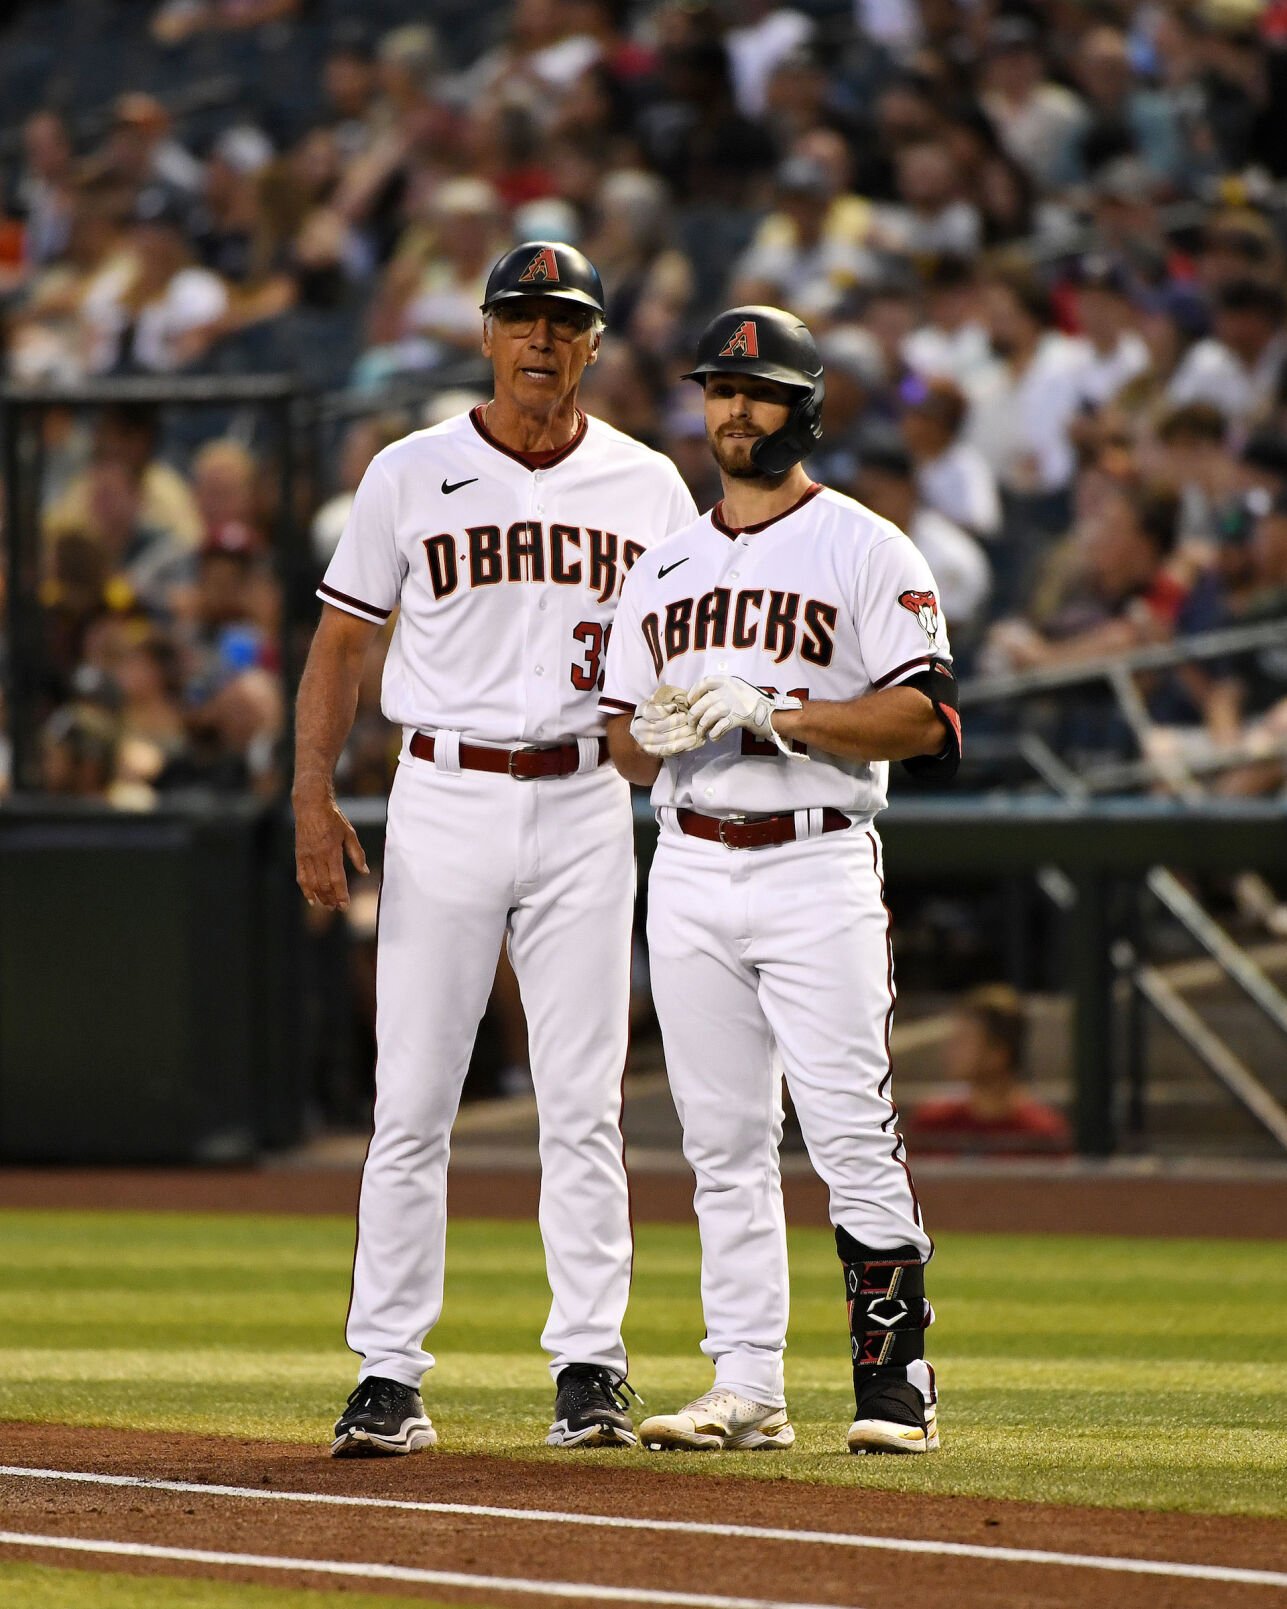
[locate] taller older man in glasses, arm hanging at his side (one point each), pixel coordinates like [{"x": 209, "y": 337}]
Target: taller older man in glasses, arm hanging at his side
[{"x": 503, "y": 537}]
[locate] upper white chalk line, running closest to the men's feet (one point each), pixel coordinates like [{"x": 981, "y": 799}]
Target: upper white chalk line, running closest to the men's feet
[{"x": 831, "y": 1539}]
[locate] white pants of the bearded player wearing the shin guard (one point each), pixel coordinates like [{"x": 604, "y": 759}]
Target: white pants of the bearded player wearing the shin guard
[{"x": 768, "y": 963}]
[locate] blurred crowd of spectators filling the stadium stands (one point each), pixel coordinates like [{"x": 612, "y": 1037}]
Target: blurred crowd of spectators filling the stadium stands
[{"x": 1042, "y": 245}]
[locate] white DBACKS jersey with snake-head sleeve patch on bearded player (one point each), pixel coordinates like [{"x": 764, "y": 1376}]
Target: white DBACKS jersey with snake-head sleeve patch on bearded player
[{"x": 826, "y": 601}]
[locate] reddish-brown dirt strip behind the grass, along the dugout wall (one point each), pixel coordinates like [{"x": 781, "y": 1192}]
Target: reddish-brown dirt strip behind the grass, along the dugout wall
[{"x": 1005, "y": 1203}]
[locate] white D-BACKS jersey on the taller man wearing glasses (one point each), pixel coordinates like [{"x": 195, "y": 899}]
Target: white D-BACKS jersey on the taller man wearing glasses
[{"x": 506, "y": 569}]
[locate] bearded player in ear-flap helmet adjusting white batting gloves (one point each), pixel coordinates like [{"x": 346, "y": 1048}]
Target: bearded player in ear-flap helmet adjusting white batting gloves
[{"x": 768, "y": 662}]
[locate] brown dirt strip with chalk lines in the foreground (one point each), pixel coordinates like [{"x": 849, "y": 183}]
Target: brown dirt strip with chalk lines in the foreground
[{"x": 549, "y": 1549}]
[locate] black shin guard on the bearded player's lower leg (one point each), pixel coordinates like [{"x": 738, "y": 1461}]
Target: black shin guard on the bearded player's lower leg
[{"x": 889, "y": 1314}]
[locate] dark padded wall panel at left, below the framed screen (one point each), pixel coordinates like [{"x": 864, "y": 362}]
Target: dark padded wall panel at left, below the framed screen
[{"x": 146, "y": 989}]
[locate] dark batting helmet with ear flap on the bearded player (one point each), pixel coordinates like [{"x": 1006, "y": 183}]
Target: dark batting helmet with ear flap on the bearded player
[{"x": 768, "y": 344}]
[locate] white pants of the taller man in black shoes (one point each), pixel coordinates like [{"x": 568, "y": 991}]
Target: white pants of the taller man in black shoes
[{"x": 472, "y": 858}]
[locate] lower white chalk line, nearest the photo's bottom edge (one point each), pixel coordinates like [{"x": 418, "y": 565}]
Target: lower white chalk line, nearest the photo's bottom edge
[{"x": 398, "y": 1573}]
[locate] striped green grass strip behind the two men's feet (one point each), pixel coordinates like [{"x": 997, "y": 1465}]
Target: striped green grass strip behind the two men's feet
[{"x": 1138, "y": 1373}]
